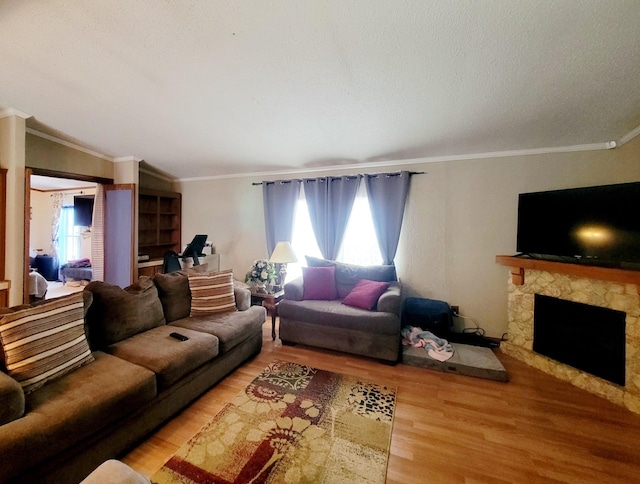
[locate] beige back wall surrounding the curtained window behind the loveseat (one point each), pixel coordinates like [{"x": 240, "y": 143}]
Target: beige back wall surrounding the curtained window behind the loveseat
[{"x": 459, "y": 216}]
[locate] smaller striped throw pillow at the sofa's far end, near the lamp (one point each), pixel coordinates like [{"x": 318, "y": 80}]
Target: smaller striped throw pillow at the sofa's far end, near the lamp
[{"x": 212, "y": 293}]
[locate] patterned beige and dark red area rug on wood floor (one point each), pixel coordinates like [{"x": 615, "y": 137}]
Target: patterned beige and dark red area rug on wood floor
[{"x": 293, "y": 423}]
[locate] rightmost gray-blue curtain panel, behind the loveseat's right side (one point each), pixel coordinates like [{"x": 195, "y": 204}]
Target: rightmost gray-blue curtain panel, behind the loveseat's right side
[{"x": 387, "y": 194}]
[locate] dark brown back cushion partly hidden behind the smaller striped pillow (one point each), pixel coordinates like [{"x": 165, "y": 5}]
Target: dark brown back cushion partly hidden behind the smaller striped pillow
[{"x": 174, "y": 293}]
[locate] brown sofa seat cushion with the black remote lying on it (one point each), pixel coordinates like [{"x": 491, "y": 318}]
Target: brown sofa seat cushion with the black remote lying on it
[{"x": 170, "y": 359}]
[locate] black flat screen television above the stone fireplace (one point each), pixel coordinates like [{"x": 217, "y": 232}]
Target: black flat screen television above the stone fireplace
[{"x": 598, "y": 225}]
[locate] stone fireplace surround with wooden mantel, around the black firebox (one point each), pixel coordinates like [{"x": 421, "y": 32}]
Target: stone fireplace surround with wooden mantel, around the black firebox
[{"x": 601, "y": 287}]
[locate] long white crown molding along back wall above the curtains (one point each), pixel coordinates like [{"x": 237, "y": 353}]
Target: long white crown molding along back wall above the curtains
[{"x": 413, "y": 161}]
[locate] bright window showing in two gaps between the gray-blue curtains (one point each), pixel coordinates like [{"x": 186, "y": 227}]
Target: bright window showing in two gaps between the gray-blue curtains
[{"x": 359, "y": 246}]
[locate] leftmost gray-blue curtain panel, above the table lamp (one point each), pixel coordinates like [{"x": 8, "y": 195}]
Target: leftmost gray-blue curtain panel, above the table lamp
[{"x": 280, "y": 200}]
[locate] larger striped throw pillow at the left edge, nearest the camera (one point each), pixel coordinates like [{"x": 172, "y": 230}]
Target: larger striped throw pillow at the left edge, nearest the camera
[{"x": 45, "y": 341}]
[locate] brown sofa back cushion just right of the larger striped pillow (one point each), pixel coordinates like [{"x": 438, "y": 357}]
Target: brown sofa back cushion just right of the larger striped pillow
[{"x": 117, "y": 314}]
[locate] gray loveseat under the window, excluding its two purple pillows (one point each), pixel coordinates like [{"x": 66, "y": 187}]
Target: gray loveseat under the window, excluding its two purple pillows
[{"x": 330, "y": 324}]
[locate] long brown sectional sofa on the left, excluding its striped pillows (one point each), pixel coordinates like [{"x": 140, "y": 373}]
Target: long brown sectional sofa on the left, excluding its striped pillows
[{"x": 139, "y": 378}]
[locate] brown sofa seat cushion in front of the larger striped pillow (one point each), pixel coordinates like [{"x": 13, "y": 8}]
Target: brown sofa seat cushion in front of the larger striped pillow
[{"x": 70, "y": 409}]
